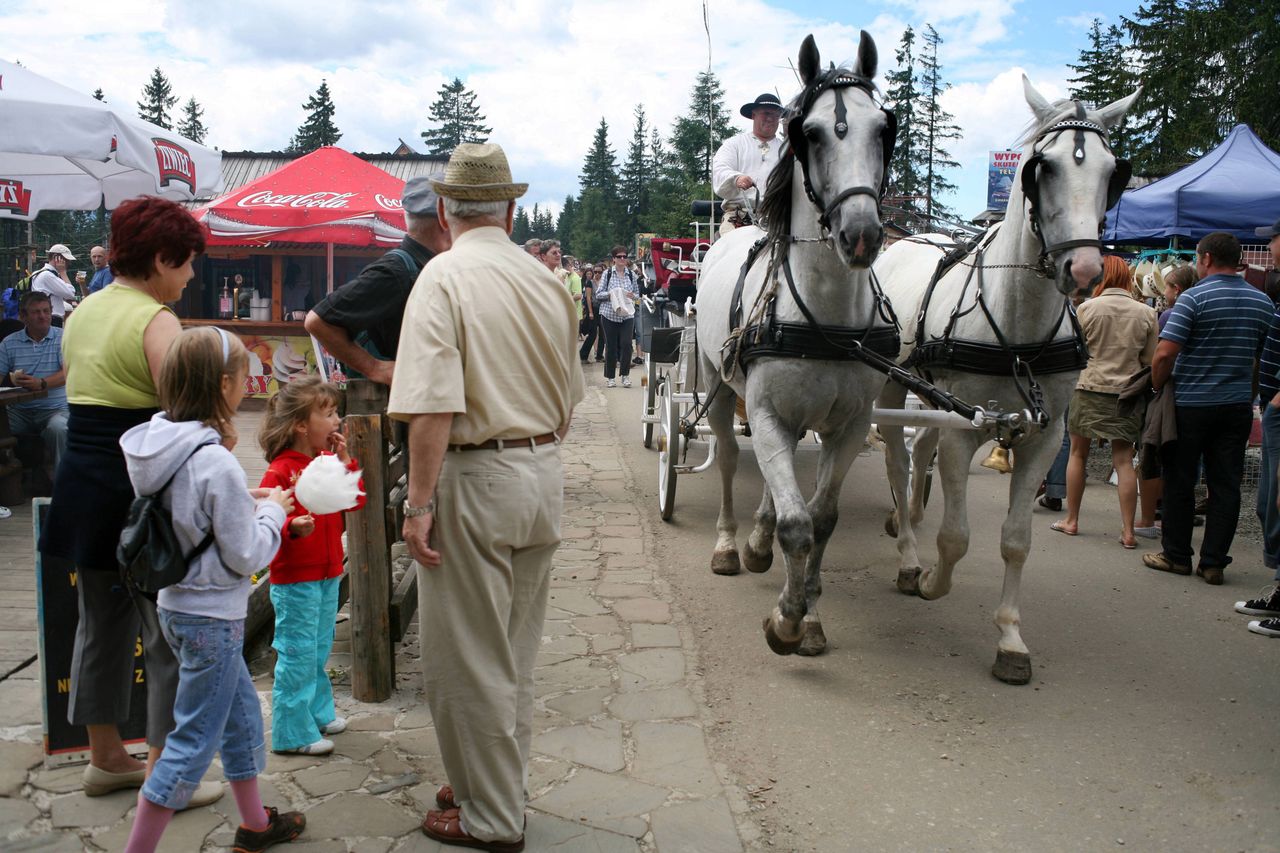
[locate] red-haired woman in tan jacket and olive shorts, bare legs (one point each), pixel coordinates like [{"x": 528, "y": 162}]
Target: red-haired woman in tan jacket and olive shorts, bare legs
[{"x": 1122, "y": 335}]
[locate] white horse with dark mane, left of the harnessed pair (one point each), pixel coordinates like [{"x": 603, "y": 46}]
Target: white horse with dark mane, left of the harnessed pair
[{"x": 822, "y": 212}]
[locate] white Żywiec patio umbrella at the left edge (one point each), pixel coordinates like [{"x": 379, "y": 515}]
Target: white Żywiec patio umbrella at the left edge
[{"x": 62, "y": 150}]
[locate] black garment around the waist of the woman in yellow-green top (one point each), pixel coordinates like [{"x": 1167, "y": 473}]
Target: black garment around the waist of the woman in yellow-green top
[{"x": 92, "y": 489}]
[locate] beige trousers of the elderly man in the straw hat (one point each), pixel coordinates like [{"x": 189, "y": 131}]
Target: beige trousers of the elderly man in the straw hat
[{"x": 497, "y": 526}]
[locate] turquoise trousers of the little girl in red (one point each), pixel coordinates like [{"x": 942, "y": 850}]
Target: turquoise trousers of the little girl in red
[{"x": 303, "y": 696}]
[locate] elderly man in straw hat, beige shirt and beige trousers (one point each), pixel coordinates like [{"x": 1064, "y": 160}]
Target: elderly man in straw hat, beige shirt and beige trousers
[{"x": 488, "y": 380}]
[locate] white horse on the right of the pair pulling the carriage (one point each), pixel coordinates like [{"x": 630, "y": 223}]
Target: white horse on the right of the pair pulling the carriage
[{"x": 1045, "y": 249}]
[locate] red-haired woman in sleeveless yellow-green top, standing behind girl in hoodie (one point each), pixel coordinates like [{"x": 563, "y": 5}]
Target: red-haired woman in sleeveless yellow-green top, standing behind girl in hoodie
[{"x": 113, "y": 348}]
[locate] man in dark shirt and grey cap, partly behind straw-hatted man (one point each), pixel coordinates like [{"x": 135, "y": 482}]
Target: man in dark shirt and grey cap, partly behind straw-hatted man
[{"x": 360, "y": 322}]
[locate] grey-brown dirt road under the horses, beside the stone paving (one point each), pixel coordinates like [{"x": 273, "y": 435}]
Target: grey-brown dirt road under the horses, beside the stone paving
[{"x": 1151, "y": 722}]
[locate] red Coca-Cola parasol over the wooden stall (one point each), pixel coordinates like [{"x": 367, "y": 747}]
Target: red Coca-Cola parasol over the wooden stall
[{"x": 328, "y": 197}]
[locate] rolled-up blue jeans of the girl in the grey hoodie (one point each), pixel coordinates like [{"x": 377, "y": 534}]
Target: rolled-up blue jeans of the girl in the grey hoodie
[{"x": 217, "y": 710}]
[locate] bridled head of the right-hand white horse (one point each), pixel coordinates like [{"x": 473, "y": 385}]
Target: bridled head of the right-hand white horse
[{"x": 1068, "y": 180}]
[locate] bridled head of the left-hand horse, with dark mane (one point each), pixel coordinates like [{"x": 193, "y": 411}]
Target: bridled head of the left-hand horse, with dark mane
[{"x": 840, "y": 142}]
